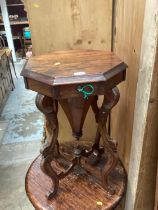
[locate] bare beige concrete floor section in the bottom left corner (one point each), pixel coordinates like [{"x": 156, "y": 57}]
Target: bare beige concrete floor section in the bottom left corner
[{"x": 14, "y": 162}]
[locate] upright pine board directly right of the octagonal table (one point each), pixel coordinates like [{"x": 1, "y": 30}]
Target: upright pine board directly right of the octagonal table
[{"x": 128, "y": 21}]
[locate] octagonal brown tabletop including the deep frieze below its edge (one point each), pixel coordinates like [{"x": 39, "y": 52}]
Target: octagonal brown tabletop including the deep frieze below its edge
[{"x": 50, "y": 74}]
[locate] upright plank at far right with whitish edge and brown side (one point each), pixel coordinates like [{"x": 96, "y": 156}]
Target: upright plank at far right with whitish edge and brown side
[{"x": 143, "y": 160}]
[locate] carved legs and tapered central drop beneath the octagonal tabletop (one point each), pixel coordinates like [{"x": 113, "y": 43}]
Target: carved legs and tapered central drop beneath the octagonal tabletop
[{"x": 76, "y": 110}]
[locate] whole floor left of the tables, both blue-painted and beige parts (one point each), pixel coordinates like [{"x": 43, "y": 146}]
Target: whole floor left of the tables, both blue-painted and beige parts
[{"x": 20, "y": 134}]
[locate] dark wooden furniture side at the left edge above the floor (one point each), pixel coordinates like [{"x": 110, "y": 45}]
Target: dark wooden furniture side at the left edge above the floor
[{"x": 6, "y": 80}]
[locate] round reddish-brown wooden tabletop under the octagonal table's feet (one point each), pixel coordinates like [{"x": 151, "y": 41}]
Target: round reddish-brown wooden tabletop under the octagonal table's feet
[{"x": 79, "y": 190}]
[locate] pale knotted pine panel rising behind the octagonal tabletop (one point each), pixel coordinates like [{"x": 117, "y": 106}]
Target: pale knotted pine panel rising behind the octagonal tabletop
[{"x": 71, "y": 24}]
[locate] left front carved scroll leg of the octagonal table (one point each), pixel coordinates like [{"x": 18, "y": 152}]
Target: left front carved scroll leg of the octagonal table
[{"x": 49, "y": 107}]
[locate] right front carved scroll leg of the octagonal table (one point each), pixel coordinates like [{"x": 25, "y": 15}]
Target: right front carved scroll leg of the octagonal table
[{"x": 111, "y": 98}]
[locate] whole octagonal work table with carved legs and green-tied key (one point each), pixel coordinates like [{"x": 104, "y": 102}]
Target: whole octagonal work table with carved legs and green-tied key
[{"x": 74, "y": 79}]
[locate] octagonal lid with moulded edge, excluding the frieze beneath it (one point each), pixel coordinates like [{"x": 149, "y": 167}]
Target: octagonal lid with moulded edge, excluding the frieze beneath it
[{"x": 72, "y": 66}]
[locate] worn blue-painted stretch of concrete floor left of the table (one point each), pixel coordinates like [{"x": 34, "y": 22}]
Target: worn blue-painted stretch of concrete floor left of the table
[{"x": 22, "y": 119}]
